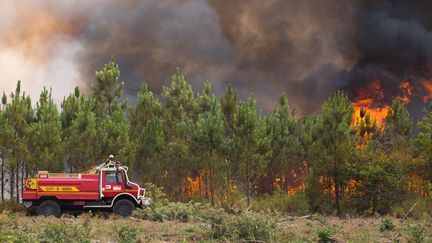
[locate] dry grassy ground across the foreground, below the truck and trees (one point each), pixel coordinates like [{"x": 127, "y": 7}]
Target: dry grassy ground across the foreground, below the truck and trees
[{"x": 16, "y": 227}]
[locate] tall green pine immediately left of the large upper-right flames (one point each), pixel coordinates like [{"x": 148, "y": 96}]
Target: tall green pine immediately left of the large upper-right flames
[{"x": 334, "y": 144}]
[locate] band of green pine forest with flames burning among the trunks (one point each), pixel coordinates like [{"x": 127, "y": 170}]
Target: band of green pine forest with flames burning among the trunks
[{"x": 221, "y": 150}]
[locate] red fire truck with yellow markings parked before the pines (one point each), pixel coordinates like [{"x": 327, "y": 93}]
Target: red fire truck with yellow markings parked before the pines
[{"x": 107, "y": 188}]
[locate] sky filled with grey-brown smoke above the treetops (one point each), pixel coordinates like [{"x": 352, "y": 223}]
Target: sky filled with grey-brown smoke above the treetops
[{"x": 306, "y": 49}]
